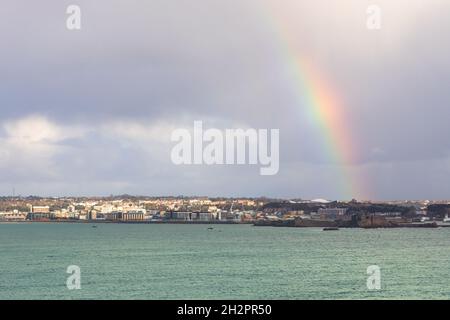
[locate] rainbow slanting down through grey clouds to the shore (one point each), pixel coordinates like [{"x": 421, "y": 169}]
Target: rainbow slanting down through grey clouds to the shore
[{"x": 324, "y": 107}]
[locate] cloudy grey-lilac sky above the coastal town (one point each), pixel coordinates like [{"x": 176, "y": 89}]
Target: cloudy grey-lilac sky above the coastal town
[{"x": 91, "y": 111}]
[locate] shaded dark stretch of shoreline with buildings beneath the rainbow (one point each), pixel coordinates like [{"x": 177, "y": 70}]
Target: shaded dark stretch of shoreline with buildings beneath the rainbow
[{"x": 358, "y": 214}]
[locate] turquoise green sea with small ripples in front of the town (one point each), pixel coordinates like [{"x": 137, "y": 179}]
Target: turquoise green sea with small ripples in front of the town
[{"x": 131, "y": 261}]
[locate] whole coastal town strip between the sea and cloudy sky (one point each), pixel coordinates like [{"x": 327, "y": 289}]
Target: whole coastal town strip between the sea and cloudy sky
[{"x": 256, "y": 211}]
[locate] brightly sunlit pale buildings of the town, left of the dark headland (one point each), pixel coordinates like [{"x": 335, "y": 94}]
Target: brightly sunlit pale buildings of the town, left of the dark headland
[{"x": 134, "y": 210}]
